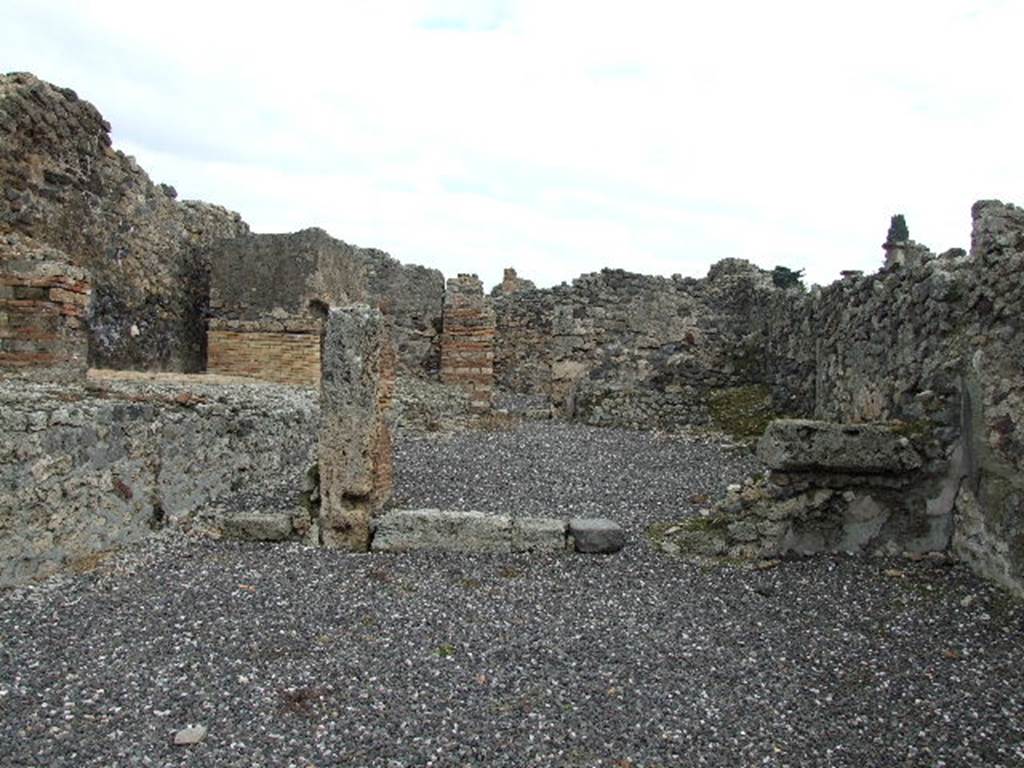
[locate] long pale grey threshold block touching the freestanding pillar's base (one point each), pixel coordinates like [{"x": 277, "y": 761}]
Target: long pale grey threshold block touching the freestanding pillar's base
[{"x": 410, "y": 531}]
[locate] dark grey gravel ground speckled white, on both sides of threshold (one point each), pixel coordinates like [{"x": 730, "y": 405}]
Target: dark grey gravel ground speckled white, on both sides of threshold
[{"x": 296, "y": 657}]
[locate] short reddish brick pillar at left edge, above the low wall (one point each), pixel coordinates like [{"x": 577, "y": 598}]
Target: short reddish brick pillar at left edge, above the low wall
[{"x": 44, "y": 310}]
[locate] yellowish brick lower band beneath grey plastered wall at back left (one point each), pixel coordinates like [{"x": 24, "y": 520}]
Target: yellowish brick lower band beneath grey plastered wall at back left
[{"x": 286, "y": 356}]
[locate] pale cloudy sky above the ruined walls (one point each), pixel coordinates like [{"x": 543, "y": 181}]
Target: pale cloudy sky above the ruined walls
[{"x": 561, "y": 137}]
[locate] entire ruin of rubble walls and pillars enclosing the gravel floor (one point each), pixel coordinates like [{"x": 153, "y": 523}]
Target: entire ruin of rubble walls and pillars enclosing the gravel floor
[{"x": 902, "y": 393}]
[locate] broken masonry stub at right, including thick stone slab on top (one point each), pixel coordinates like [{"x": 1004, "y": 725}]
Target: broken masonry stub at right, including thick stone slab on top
[{"x": 831, "y": 488}]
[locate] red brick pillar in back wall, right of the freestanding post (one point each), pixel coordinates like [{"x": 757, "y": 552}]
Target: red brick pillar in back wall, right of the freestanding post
[{"x": 468, "y": 340}]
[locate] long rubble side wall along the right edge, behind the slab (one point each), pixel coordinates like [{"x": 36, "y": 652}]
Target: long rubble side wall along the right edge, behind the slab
[{"x": 935, "y": 343}]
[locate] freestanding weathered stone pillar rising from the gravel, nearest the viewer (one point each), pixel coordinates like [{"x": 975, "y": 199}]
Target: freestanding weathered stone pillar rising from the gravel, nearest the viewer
[{"x": 355, "y": 449}]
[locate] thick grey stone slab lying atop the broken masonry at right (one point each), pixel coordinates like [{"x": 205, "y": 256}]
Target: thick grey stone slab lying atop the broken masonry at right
[{"x": 805, "y": 446}]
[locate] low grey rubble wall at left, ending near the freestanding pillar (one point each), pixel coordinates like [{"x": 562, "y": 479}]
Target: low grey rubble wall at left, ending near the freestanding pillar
[{"x": 88, "y": 468}]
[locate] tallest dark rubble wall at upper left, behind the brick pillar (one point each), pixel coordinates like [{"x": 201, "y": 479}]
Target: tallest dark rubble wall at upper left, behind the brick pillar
[{"x": 65, "y": 187}]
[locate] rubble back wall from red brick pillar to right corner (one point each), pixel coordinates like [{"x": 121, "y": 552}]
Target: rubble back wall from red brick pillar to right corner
[{"x": 617, "y": 349}]
